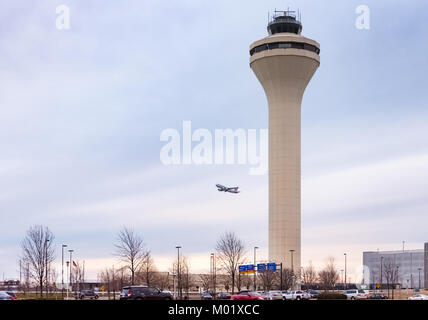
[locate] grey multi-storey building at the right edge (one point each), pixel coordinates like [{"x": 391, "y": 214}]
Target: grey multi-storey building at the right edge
[{"x": 406, "y": 268}]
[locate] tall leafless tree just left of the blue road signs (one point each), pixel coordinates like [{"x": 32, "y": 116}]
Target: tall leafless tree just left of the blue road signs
[{"x": 231, "y": 253}]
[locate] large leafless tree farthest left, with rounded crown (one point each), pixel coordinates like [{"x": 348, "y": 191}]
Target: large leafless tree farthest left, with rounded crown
[{"x": 38, "y": 252}]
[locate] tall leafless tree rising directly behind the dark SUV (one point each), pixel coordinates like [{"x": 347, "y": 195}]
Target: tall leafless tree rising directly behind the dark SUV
[{"x": 131, "y": 250}]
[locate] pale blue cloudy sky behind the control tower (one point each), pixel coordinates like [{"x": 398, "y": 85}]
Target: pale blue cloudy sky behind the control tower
[{"x": 82, "y": 111}]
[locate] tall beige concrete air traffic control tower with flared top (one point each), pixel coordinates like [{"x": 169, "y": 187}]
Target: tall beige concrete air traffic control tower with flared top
[{"x": 284, "y": 62}]
